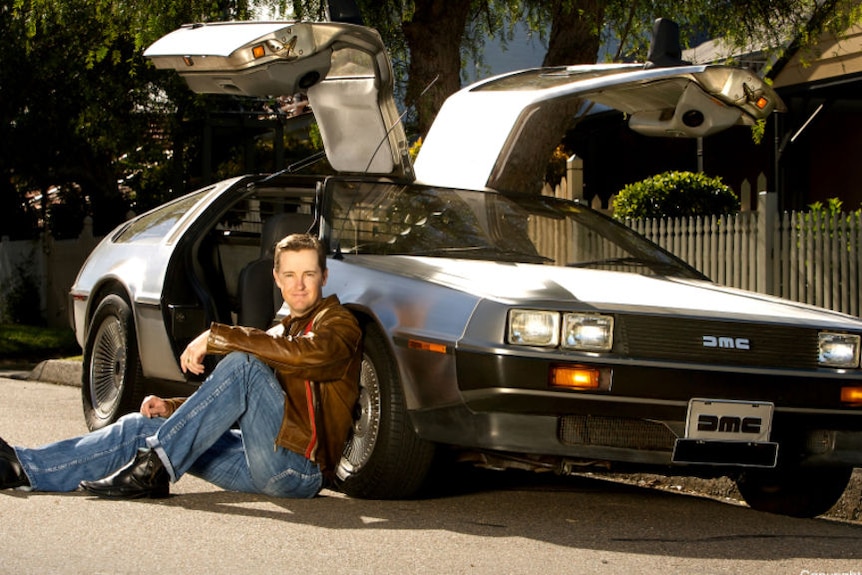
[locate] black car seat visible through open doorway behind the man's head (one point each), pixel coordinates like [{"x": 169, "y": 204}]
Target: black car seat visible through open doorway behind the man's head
[{"x": 259, "y": 297}]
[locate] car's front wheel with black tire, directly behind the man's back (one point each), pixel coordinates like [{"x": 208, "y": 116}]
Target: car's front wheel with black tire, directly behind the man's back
[{"x": 384, "y": 458}]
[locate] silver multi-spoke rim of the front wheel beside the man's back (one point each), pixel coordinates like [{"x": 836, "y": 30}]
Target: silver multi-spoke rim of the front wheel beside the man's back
[{"x": 366, "y": 425}]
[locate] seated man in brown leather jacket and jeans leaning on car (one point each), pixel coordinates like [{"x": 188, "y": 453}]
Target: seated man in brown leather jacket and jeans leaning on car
[{"x": 292, "y": 390}]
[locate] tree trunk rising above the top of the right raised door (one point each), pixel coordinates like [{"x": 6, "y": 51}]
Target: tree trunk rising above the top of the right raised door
[{"x": 575, "y": 32}]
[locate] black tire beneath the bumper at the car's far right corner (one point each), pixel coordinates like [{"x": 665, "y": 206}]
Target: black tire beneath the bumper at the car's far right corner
[{"x": 794, "y": 491}]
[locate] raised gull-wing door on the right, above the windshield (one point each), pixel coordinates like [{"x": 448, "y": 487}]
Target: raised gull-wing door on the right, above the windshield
[{"x": 499, "y": 133}]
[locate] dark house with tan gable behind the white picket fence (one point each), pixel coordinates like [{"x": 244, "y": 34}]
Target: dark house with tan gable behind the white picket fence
[{"x": 807, "y": 154}]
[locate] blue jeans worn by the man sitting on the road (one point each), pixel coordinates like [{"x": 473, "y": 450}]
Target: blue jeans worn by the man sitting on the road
[{"x": 197, "y": 439}]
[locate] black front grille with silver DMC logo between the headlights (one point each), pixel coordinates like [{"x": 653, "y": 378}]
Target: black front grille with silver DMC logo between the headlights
[{"x": 682, "y": 339}]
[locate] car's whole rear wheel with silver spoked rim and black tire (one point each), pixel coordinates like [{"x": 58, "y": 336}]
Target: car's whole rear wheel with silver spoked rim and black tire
[{"x": 112, "y": 380}]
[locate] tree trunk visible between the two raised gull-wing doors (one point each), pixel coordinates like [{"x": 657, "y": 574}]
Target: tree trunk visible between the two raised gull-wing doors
[{"x": 434, "y": 38}]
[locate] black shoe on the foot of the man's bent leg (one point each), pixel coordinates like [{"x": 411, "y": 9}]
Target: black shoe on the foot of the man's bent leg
[{"x": 144, "y": 477}]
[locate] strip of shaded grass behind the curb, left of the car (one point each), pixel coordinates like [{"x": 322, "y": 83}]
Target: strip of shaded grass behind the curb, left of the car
[{"x": 30, "y": 343}]
